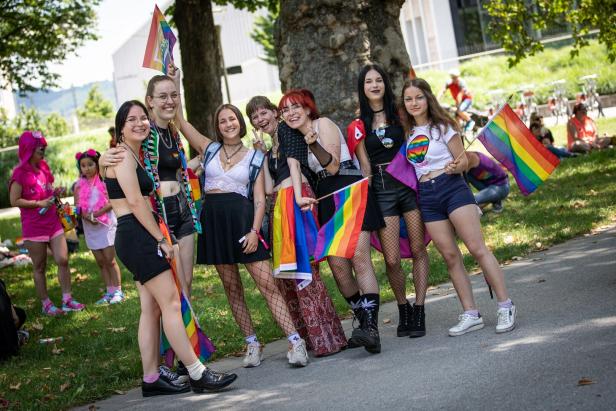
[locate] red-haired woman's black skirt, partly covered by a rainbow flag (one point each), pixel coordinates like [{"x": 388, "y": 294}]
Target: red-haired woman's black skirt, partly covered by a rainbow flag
[{"x": 373, "y": 219}]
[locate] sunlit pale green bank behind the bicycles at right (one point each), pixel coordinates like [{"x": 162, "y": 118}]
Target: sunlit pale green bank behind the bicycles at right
[{"x": 485, "y": 74}]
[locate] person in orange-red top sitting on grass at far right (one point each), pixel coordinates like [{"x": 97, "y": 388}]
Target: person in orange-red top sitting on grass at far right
[{"x": 582, "y": 133}]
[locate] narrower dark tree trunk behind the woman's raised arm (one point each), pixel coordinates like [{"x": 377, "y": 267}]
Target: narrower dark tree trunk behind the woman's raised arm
[{"x": 200, "y": 62}]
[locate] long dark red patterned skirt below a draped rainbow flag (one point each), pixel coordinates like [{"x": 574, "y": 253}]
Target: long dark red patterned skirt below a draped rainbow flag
[{"x": 311, "y": 308}]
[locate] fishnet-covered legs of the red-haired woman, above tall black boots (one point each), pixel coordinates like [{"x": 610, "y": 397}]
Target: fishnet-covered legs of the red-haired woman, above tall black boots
[{"x": 364, "y": 280}]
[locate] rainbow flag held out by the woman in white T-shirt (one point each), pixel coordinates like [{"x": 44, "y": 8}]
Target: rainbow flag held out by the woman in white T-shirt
[{"x": 509, "y": 141}]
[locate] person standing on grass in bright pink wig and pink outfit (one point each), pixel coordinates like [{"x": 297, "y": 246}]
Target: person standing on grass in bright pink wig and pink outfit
[{"x": 31, "y": 189}]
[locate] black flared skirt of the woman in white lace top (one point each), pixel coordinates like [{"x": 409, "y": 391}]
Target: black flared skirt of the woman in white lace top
[{"x": 225, "y": 218}]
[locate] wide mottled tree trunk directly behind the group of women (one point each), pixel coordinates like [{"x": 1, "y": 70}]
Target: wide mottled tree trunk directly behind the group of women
[{"x": 322, "y": 45}]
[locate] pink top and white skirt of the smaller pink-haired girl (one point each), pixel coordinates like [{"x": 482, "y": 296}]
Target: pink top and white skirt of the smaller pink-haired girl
[{"x": 92, "y": 197}]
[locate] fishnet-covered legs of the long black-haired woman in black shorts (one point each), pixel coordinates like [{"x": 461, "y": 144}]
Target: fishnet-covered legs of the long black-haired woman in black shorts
[{"x": 390, "y": 237}]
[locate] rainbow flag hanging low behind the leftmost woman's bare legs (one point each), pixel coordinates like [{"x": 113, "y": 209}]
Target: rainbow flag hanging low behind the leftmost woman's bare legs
[{"x": 201, "y": 344}]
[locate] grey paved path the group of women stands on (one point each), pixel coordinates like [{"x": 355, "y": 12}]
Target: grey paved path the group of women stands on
[{"x": 567, "y": 331}]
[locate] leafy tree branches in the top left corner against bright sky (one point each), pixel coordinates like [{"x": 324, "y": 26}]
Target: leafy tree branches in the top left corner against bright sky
[{"x": 34, "y": 33}]
